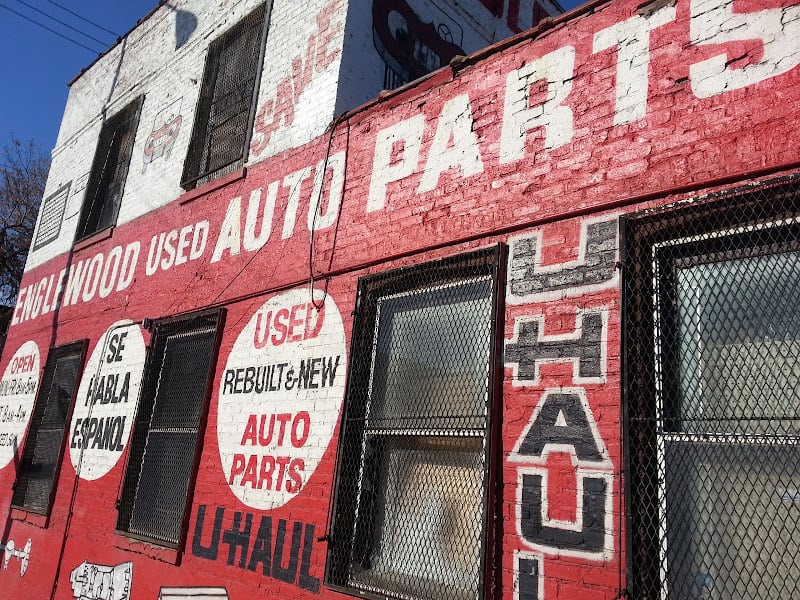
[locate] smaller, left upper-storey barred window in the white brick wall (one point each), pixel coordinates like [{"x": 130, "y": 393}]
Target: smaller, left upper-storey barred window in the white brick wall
[{"x": 109, "y": 171}]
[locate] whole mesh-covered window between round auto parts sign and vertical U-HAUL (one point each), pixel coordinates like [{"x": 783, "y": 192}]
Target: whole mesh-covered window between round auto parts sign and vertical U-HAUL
[{"x": 410, "y": 509}]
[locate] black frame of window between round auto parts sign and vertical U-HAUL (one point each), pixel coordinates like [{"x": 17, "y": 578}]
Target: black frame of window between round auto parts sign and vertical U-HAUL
[{"x": 348, "y": 492}]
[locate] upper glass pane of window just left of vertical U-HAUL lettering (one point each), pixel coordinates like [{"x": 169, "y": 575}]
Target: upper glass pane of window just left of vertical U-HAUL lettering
[{"x": 431, "y": 362}]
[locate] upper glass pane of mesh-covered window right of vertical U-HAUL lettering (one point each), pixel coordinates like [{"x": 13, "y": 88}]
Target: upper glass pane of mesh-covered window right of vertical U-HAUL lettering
[{"x": 739, "y": 332}]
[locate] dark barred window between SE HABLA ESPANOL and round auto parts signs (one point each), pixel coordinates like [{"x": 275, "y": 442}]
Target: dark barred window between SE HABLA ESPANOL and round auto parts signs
[{"x": 167, "y": 431}]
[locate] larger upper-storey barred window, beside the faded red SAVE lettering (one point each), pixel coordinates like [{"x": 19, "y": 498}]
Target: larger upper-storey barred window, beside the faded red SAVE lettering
[{"x": 224, "y": 114}]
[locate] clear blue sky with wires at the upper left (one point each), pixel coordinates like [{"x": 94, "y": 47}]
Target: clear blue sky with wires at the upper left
[{"x": 37, "y": 64}]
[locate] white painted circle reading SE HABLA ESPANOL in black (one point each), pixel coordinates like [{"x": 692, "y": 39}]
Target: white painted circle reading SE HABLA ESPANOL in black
[{"x": 106, "y": 402}]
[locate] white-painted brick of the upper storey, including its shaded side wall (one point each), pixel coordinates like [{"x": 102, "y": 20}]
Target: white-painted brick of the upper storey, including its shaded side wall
[{"x": 346, "y": 71}]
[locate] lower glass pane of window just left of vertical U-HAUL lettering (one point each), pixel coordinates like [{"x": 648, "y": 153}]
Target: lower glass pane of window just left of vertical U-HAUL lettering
[{"x": 426, "y": 539}]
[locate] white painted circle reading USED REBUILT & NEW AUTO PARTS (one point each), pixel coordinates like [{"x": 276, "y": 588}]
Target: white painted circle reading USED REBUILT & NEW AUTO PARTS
[{"x": 280, "y": 397}]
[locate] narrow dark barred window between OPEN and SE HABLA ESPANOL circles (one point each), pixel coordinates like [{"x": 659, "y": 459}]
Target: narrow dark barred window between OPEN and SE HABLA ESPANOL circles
[{"x": 30, "y": 466}]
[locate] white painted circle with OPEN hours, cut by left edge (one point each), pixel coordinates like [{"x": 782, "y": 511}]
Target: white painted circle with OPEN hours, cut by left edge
[{"x": 17, "y": 396}]
